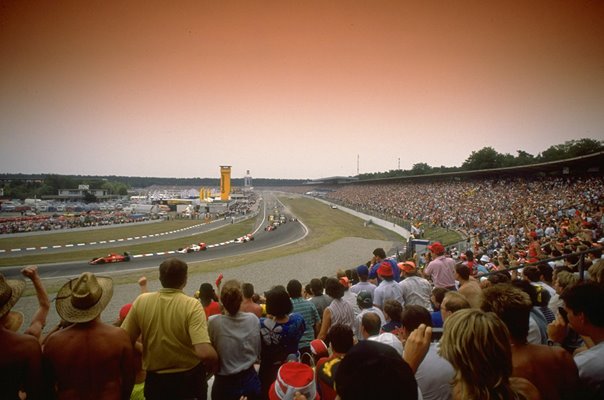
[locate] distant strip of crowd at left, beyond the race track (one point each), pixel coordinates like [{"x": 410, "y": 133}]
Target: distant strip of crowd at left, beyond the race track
[{"x": 62, "y": 222}]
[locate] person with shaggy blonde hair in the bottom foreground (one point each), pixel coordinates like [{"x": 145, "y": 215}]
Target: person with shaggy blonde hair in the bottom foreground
[{"x": 477, "y": 344}]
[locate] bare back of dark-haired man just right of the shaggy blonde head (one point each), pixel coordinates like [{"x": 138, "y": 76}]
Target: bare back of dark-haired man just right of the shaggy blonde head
[{"x": 551, "y": 369}]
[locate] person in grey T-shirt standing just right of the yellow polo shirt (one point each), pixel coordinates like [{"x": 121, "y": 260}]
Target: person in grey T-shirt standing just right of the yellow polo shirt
[{"x": 236, "y": 338}]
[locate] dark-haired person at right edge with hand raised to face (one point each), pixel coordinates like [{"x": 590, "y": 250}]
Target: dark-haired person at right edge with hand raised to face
[{"x": 583, "y": 304}]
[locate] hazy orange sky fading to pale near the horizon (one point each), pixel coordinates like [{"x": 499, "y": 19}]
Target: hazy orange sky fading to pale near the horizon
[{"x": 292, "y": 89}]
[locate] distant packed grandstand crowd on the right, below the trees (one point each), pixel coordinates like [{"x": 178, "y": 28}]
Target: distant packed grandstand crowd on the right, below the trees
[{"x": 494, "y": 212}]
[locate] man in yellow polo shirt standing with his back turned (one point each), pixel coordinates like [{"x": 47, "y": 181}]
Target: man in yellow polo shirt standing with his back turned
[{"x": 177, "y": 352}]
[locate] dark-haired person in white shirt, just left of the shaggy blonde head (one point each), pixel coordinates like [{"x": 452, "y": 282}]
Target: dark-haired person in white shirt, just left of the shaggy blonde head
[{"x": 435, "y": 374}]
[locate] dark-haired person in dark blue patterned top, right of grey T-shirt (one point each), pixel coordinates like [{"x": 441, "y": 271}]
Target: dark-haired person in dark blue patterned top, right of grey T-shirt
[{"x": 280, "y": 332}]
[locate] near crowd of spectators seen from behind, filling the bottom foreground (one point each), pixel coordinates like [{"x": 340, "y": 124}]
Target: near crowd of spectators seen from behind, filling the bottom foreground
[{"x": 385, "y": 329}]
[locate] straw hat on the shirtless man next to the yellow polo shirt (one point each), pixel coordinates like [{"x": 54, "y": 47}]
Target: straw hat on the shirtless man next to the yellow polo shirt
[{"x": 84, "y": 298}]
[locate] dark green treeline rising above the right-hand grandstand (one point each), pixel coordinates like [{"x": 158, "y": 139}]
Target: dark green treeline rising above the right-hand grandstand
[{"x": 488, "y": 158}]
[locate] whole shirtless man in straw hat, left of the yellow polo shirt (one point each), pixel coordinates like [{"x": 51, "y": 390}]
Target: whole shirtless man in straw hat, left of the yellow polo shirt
[{"x": 89, "y": 359}]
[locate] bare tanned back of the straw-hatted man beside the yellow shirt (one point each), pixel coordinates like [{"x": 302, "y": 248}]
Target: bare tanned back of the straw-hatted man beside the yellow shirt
[{"x": 91, "y": 360}]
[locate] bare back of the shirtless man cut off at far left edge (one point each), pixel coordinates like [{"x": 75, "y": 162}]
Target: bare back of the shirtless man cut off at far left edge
[{"x": 20, "y": 365}]
